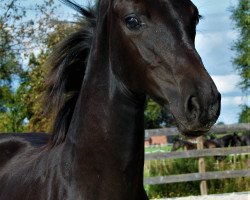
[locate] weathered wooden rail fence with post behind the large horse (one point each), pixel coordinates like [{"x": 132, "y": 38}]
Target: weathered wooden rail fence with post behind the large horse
[{"x": 202, "y": 175}]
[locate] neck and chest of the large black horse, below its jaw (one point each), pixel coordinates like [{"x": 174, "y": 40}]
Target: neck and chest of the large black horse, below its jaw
[{"x": 107, "y": 134}]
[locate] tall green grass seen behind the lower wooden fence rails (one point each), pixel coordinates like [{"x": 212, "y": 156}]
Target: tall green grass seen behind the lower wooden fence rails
[{"x": 184, "y": 166}]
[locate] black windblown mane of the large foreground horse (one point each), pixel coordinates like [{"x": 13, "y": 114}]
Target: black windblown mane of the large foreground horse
[{"x": 68, "y": 63}]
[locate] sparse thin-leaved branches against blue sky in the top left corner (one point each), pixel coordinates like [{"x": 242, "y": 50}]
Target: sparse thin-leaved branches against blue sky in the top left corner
[{"x": 27, "y": 23}]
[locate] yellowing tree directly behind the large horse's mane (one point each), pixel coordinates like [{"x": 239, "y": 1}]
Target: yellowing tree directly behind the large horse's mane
[{"x": 38, "y": 72}]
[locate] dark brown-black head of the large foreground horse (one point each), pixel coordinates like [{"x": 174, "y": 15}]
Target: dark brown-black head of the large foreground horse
[{"x": 156, "y": 41}]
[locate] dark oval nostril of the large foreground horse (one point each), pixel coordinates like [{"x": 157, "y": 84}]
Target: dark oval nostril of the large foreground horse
[{"x": 192, "y": 108}]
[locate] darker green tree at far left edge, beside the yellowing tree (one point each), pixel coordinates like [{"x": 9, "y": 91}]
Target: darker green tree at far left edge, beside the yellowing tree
[{"x": 11, "y": 112}]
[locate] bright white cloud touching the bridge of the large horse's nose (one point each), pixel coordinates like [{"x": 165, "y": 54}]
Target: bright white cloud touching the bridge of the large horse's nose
[{"x": 227, "y": 83}]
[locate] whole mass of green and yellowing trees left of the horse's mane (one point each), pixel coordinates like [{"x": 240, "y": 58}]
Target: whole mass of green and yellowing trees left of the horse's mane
[{"x": 25, "y": 30}]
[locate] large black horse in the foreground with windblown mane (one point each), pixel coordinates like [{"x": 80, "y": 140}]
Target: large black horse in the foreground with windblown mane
[{"x": 98, "y": 84}]
